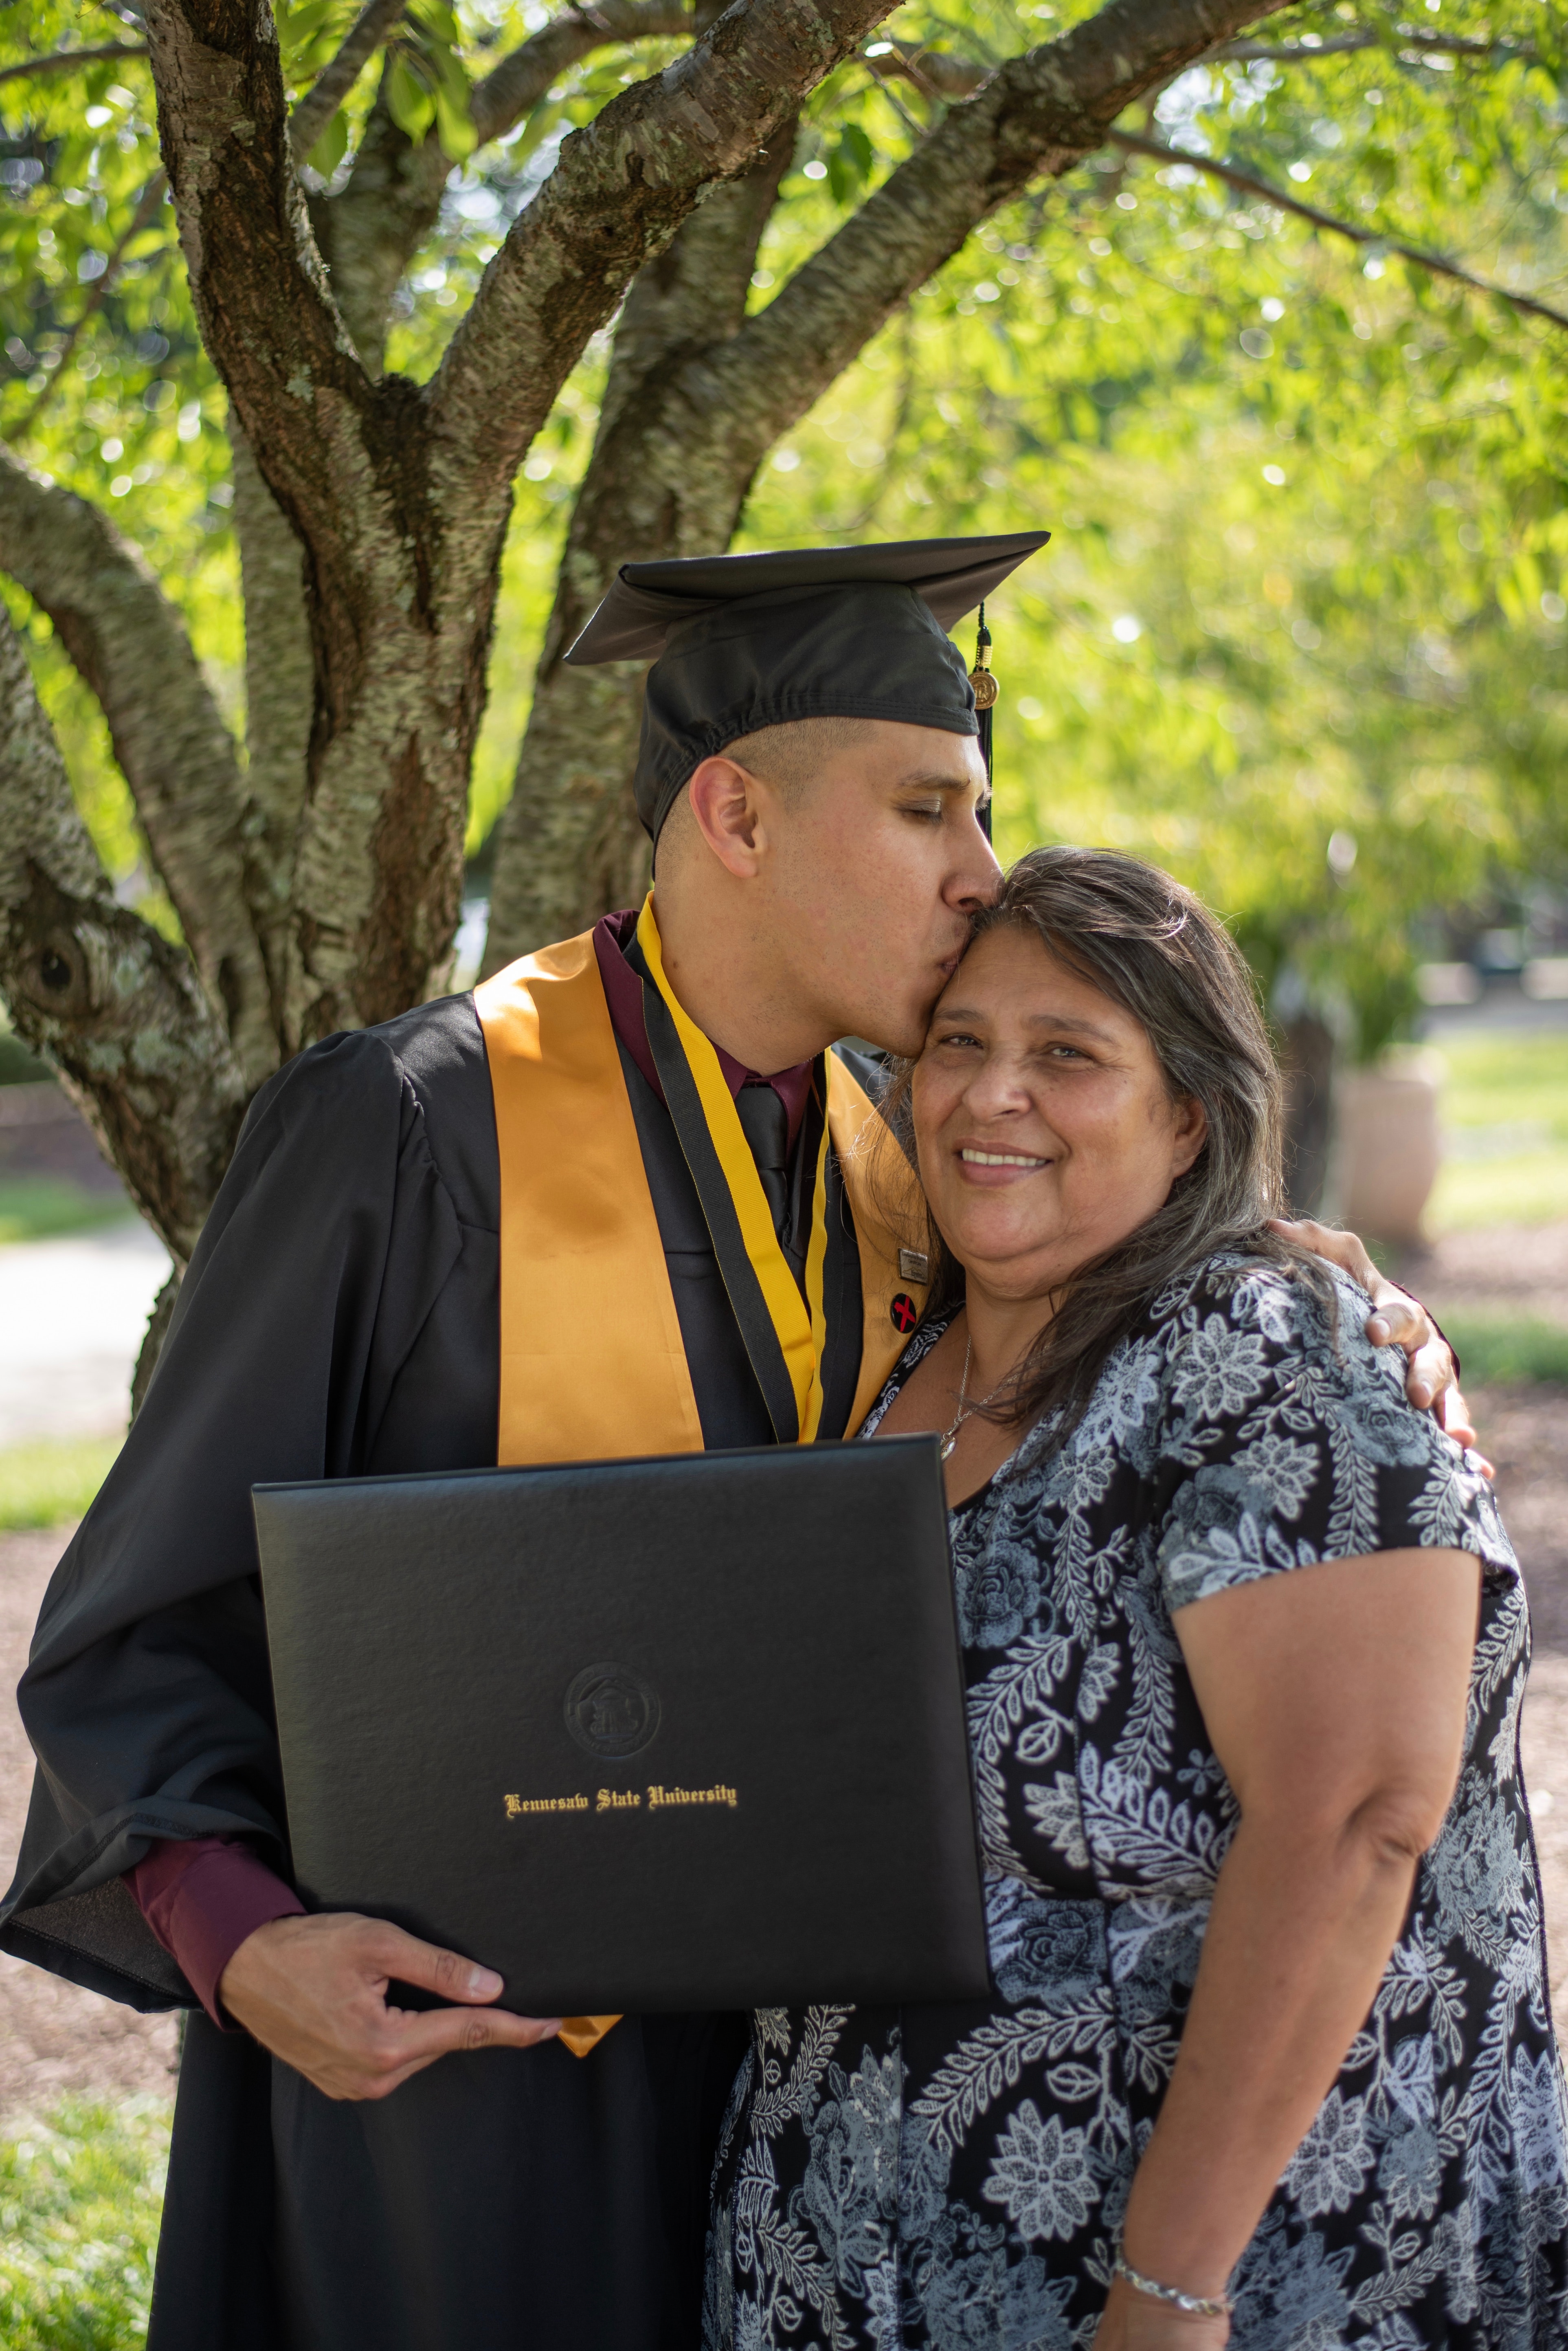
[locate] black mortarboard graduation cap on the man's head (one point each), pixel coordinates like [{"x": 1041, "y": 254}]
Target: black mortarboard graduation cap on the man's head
[{"x": 810, "y": 634}]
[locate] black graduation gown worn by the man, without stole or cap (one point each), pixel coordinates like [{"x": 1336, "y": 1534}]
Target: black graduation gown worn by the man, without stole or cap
[{"x": 342, "y": 1318}]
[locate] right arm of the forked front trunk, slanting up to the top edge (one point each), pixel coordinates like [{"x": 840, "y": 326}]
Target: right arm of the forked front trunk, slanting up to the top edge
[{"x": 617, "y": 196}]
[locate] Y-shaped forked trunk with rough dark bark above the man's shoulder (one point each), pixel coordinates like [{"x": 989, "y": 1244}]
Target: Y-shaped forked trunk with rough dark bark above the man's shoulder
[{"x": 401, "y": 497}]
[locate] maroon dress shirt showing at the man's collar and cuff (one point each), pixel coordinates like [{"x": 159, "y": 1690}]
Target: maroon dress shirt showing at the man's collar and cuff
[{"x": 203, "y": 1896}]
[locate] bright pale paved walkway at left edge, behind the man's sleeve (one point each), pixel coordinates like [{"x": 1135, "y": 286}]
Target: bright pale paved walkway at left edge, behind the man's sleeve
[{"x": 72, "y": 1322}]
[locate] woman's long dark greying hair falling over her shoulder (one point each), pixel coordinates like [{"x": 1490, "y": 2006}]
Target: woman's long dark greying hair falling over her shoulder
[{"x": 1158, "y": 953}]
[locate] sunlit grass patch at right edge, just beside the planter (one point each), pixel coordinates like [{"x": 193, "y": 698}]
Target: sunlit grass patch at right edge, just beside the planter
[{"x": 1506, "y": 1130}]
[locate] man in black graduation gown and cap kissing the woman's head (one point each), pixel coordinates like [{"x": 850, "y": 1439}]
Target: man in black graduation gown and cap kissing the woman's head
[{"x": 587, "y": 1210}]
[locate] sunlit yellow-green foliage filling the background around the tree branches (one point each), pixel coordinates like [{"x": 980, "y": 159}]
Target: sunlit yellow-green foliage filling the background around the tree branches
[{"x": 1301, "y": 631}]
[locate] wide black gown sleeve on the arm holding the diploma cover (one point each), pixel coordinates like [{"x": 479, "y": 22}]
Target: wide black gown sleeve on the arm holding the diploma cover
[{"x": 147, "y": 1694}]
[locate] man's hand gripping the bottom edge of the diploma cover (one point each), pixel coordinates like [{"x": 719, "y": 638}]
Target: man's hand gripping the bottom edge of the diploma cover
[{"x": 314, "y": 1992}]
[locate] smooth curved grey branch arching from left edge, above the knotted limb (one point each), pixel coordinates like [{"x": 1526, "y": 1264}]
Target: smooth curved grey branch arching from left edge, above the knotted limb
[{"x": 133, "y": 652}]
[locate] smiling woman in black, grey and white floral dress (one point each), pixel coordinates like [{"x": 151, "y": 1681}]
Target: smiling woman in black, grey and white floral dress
[{"x": 1245, "y": 1647}]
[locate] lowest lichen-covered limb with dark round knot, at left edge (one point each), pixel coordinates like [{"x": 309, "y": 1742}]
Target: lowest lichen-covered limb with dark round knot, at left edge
[{"x": 114, "y": 1005}]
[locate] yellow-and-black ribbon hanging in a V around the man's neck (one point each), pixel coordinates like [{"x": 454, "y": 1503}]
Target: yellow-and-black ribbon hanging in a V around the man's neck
[{"x": 784, "y": 1332}]
